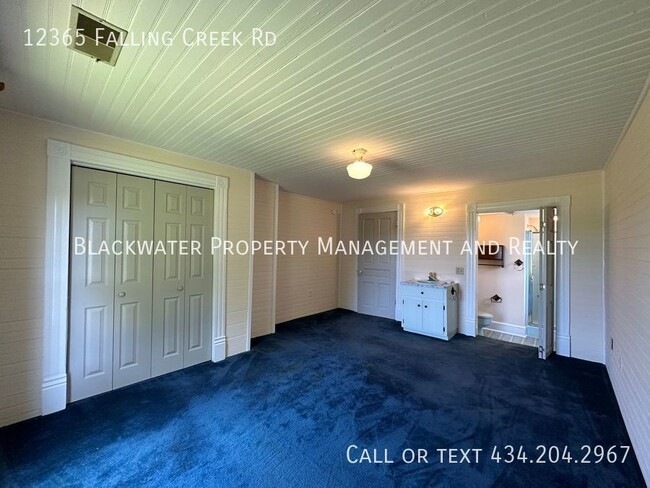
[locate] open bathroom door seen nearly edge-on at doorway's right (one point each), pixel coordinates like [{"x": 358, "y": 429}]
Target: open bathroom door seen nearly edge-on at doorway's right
[{"x": 547, "y": 283}]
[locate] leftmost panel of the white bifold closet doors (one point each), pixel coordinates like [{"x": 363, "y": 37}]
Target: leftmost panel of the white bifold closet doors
[{"x": 92, "y": 282}]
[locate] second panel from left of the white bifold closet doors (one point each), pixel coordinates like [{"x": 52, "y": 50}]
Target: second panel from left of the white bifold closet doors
[{"x": 133, "y": 282}]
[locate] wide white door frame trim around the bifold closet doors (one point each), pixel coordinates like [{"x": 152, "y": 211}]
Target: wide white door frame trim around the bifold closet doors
[{"x": 61, "y": 156}]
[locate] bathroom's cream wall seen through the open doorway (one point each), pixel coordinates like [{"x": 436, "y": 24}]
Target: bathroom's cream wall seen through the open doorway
[{"x": 507, "y": 282}]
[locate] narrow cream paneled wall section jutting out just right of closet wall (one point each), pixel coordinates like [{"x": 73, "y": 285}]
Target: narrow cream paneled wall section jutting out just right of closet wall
[{"x": 264, "y": 265}]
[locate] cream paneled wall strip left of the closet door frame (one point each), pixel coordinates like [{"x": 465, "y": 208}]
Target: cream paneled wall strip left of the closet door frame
[{"x": 22, "y": 232}]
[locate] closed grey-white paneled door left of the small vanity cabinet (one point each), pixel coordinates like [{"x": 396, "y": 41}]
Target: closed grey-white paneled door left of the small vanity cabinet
[{"x": 376, "y": 273}]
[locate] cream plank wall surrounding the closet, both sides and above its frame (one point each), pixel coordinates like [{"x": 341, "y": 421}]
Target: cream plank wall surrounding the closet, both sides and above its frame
[{"x": 23, "y": 165}]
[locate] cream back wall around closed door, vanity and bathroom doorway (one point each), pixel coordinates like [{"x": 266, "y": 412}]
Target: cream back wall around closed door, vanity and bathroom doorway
[{"x": 585, "y": 189}]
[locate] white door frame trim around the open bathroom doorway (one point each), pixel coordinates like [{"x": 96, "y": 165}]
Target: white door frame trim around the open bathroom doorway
[{"x": 563, "y": 264}]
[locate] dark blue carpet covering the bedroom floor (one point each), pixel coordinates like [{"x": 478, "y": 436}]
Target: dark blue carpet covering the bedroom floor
[{"x": 285, "y": 414}]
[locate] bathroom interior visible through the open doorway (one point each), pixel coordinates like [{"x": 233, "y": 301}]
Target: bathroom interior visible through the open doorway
[{"x": 508, "y": 278}]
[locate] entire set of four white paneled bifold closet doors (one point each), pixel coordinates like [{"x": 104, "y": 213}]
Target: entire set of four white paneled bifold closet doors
[{"x": 135, "y": 311}]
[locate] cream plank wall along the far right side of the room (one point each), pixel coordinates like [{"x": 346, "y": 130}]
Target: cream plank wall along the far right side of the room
[{"x": 627, "y": 278}]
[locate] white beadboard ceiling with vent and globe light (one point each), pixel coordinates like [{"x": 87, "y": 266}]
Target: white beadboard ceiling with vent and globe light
[{"x": 443, "y": 94}]
